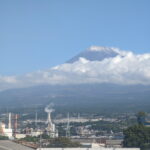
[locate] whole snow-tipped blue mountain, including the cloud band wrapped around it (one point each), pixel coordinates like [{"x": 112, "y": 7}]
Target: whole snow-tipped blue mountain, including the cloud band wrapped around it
[{"x": 97, "y": 77}]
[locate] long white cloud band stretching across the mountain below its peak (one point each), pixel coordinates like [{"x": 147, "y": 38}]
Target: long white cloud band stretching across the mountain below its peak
[{"x": 125, "y": 68}]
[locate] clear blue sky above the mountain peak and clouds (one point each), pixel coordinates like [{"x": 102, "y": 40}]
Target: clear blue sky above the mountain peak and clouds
[{"x": 39, "y": 34}]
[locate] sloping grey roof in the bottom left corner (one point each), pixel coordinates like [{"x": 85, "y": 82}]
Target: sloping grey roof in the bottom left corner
[{"x": 9, "y": 145}]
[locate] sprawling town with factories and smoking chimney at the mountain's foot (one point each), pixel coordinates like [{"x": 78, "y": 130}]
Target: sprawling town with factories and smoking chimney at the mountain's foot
[{"x": 75, "y": 130}]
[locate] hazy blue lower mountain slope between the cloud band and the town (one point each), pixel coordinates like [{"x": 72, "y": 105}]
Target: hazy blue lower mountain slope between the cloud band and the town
[{"x": 108, "y": 97}]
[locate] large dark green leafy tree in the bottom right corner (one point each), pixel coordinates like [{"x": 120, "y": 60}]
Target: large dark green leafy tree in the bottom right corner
[{"x": 137, "y": 136}]
